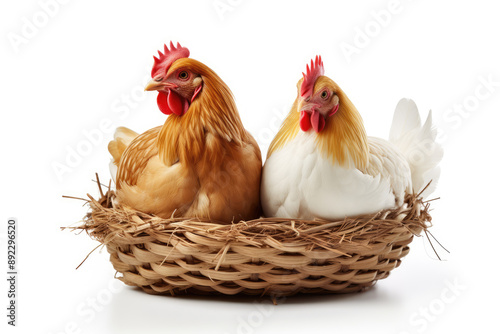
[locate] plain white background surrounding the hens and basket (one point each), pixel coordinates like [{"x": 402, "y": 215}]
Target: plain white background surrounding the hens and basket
[{"x": 81, "y": 70}]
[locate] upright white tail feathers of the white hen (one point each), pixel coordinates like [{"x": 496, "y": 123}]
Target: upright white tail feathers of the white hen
[{"x": 418, "y": 144}]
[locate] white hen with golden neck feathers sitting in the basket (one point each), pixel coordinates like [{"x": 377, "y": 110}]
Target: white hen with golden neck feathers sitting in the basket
[{"x": 322, "y": 164}]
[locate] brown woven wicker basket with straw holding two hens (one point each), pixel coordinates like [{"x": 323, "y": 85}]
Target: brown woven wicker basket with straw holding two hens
[{"x": 267, "y": 256}]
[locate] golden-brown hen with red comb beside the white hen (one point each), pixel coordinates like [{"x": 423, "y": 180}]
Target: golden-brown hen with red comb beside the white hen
[{"x": 202, "y": 162}]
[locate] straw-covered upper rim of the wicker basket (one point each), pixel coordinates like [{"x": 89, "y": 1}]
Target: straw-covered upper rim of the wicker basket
[{"x": 108, "y": 221}]
